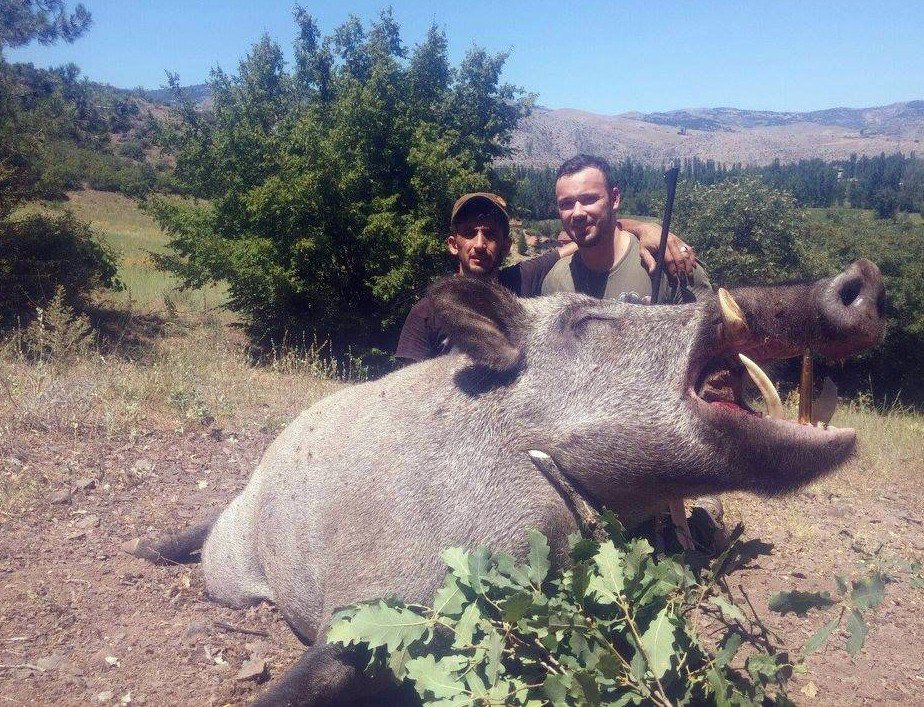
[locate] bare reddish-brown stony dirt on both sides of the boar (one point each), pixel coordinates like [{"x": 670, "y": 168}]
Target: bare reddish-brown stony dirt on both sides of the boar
[{"x": 81, "y": 622}]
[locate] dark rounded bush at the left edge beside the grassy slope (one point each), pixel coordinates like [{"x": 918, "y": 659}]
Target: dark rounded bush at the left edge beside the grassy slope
[{"x": 39, "y": 255}]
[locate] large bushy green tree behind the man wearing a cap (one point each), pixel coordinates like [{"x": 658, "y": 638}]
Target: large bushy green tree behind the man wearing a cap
[{"x": 330, "y": 183}]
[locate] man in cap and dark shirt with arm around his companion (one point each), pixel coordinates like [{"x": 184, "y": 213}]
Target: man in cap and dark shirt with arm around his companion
[{"x": 479, "y": 239}]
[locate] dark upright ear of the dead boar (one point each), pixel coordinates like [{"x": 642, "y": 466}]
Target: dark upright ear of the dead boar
[{"x": 485, "y": 320}]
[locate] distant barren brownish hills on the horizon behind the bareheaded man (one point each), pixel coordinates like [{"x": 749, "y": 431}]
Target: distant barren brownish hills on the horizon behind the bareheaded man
[{"x": 727, "y": 135}]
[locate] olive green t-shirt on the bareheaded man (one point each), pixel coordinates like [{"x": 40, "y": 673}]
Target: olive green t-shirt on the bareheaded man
[{"x": 627, "y": 277}]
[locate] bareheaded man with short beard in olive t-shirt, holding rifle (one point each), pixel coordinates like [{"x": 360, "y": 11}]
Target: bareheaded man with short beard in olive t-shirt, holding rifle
[{"x": 608, "y": 261}]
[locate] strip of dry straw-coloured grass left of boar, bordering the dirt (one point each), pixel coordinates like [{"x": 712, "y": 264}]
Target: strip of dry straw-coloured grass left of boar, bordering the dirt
[{"x": 194, "y": 377}]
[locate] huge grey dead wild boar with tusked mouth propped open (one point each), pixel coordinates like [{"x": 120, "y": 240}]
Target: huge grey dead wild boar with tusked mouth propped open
[{"x": 636, "y": 405}]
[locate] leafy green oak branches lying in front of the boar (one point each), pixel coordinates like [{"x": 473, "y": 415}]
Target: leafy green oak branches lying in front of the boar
[{"x": 620, "y": 626}]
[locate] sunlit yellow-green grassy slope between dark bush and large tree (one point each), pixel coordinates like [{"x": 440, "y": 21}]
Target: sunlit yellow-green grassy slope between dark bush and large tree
[{"x": 133, "y": 234}]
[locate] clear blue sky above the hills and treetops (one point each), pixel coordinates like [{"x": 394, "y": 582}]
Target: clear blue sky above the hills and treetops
[{"x": 604, "y": 57}]
